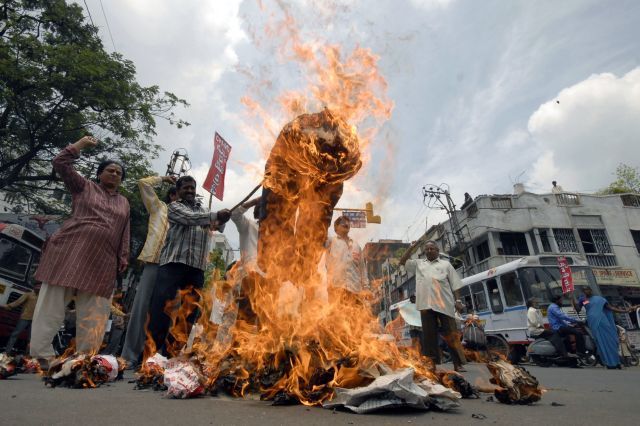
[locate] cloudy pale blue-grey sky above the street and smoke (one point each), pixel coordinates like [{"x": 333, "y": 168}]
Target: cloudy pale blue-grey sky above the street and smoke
[{"x": 485, "y": 94}]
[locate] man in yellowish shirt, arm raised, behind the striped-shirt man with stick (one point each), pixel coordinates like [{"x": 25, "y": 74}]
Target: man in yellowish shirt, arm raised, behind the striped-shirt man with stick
[{"x": 150, "y": 256}]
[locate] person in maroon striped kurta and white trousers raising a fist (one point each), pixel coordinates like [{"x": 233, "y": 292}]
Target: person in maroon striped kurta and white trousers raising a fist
[{"x": 82, "y": 259}]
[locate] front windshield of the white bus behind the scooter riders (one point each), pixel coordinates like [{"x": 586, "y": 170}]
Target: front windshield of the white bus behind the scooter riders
[{"x": 544, "y": 282}]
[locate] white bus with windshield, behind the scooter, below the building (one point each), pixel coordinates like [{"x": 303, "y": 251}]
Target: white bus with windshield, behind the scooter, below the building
[{"x": 498, "y": 296}]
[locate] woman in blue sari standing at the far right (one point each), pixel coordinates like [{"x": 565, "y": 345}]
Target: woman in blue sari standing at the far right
[{"x": 603, "y": 328}]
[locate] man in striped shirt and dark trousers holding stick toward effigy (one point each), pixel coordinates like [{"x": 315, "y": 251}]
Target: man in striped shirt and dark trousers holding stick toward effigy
[{"x": 183, "y": 258}]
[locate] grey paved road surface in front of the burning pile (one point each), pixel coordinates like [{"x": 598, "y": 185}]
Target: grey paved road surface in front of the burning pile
[{"x": 589, "y": 396}]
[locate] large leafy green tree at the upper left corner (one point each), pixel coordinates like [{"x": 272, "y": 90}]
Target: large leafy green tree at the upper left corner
[{"x": 58, "y": 84}]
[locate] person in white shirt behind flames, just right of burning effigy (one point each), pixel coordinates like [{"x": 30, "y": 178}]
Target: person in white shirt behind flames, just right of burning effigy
[{"x": 346, "y": 271}]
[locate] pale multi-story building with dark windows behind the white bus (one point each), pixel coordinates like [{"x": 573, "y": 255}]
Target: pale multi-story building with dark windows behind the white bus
[{"x": 495, "y": 229}]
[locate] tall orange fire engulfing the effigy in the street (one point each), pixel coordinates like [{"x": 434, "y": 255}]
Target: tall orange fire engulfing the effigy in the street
[{"x": 300, "y": 341}]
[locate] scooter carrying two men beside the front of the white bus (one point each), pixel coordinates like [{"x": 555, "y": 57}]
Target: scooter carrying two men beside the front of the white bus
[{"x": 542, "y": 352}]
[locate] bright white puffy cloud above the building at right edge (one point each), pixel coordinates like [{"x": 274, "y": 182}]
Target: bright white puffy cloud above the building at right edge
[{"x": 586, "y": 131}]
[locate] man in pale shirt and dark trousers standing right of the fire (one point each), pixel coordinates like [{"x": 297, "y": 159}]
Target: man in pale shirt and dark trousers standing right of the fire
[{"x": 435, "y": 282}]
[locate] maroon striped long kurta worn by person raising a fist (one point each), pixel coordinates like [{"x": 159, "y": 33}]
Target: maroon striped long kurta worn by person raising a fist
[{"x": 86, "y": 251}]
